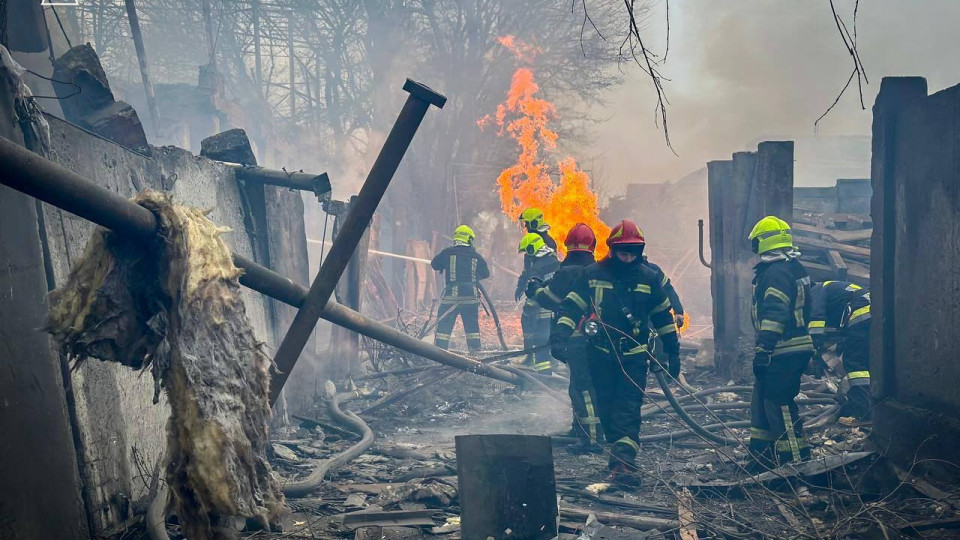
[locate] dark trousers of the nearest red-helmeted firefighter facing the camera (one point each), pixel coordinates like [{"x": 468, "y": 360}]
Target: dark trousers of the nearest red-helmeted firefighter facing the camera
[{"x": 620, "y": 380}]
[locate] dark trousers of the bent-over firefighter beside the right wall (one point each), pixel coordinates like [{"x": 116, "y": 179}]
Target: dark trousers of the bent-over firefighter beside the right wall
[{"x": 854, "y": 345}]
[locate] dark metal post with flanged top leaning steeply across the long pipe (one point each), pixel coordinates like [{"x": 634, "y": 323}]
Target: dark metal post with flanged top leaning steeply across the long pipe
[{"x": 354, "y": 225}]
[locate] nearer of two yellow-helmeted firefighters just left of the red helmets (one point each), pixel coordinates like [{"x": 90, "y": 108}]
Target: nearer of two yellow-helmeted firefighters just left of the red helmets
[{"x": 539, "y": 264}]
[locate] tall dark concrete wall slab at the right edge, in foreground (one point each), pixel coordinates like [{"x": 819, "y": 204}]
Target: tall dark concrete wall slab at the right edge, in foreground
[{"x": 915, "y": 271}]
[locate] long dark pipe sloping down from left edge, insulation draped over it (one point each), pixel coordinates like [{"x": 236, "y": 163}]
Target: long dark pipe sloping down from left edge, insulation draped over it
[{"x": 40, "y": 178}]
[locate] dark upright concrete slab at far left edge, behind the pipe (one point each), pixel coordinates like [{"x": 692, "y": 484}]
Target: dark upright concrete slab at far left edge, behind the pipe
[{"x": 40, "y": 495}]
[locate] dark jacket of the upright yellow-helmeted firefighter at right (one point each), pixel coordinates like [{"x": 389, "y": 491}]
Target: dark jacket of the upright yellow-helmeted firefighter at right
[{"x": 781, "y": 307}]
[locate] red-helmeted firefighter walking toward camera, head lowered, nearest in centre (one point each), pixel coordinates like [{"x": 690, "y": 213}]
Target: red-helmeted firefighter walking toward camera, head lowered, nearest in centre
[{"x": 613, "y": 303}]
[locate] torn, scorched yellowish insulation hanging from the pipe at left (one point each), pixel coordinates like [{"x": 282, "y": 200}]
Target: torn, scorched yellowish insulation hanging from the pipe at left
[{"x": 173, "y": 306}]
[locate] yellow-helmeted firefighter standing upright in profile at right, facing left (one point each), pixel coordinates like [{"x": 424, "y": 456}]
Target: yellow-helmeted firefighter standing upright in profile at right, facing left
[{"x": 781, "y": 309}]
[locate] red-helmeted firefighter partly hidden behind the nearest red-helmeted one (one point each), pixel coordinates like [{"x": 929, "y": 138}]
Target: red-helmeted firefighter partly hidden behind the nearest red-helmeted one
[{"x": 580, "y": 243}]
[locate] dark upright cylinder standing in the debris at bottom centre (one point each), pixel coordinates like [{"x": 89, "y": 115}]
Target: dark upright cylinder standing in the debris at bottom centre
[{"x": 507, "y": 487}]
